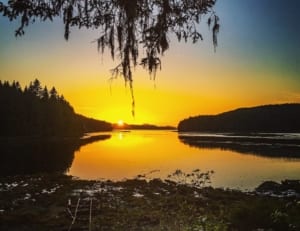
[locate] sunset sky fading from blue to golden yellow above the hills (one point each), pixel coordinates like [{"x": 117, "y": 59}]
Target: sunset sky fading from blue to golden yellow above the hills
[{"x": 256, "y": 62}]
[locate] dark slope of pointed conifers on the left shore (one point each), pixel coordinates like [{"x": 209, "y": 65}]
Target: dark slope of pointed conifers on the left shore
[{"x": 35, "y": 111}]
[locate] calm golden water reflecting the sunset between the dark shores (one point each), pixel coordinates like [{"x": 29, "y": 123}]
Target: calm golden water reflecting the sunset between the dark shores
[{"x": 127, "y": 154}]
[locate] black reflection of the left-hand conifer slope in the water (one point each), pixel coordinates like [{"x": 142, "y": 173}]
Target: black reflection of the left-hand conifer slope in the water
[{"x": 40, "y": 156}]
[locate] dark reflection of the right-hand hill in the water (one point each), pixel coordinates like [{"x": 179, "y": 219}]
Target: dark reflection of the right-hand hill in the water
[{"x": 255, "y": 146}]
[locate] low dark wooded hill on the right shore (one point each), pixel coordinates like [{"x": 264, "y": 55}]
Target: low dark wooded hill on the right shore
[{"x": 266, "y": 118}]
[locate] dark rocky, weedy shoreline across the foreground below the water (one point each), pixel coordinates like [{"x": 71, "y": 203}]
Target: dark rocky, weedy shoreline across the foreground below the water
[{"x": 60, "y": 202}]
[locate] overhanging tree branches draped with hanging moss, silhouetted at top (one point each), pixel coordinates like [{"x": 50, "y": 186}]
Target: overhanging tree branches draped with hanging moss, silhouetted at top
[{"x": 126, "y": 26}]
